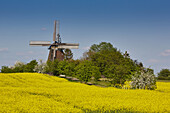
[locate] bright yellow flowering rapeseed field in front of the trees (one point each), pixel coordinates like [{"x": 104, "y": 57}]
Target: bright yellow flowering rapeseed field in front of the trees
[{"x": 31, "y": 92}]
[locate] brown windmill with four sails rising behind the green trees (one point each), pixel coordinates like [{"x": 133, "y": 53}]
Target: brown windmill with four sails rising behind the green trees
[{"x": 56, "y": 48}]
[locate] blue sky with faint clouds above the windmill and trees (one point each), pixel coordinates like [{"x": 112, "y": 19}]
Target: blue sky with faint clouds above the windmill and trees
[{"x": 141, "y": 27}]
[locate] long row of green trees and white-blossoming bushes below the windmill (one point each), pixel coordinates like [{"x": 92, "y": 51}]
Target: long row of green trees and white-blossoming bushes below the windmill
[{"x": 100, "y": 60}]
